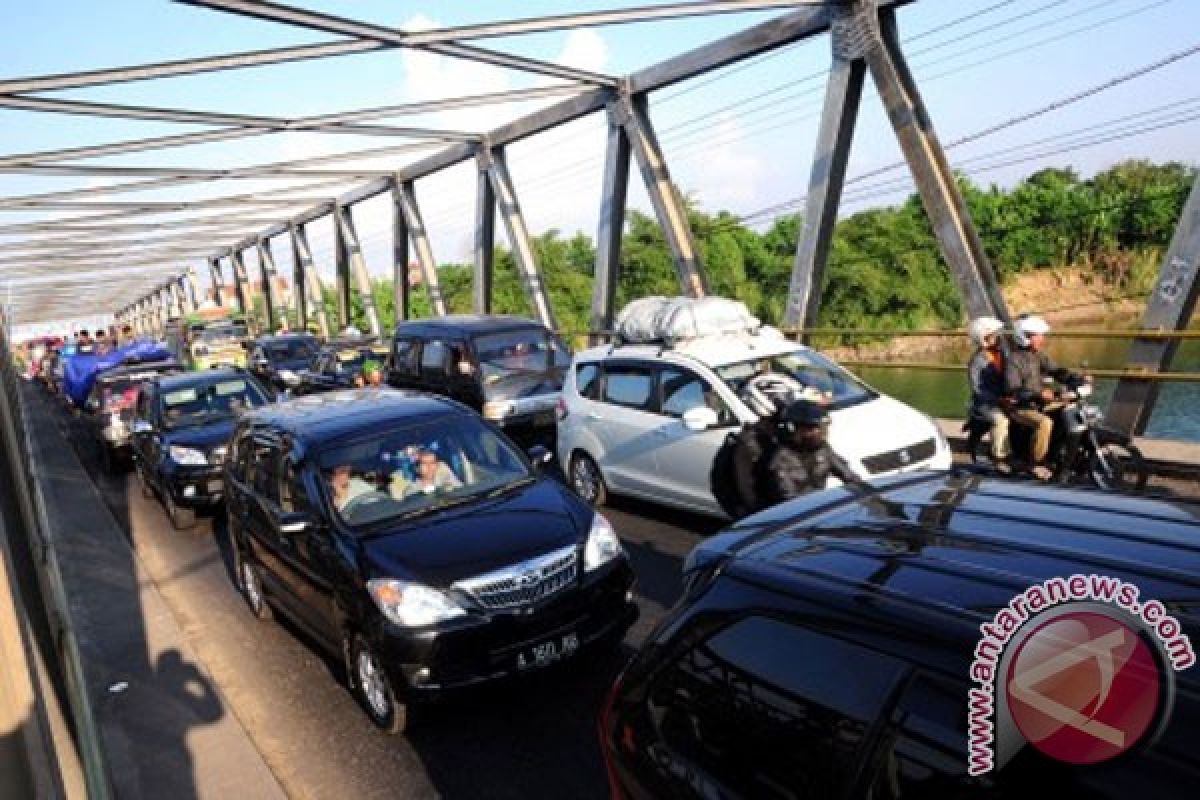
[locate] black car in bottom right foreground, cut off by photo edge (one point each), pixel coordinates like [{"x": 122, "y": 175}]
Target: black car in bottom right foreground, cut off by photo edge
[{"x": 825, "y": 648}]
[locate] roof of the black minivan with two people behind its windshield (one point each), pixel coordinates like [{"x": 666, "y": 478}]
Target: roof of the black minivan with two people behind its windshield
[{"x": 317, "y": 419}]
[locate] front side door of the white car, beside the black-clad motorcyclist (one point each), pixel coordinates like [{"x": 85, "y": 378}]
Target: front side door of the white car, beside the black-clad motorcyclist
[{"x": 685, "y": 459}]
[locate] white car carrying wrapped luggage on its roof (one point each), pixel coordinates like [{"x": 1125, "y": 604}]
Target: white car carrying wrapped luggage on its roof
[{"x": 647, "y": 420}]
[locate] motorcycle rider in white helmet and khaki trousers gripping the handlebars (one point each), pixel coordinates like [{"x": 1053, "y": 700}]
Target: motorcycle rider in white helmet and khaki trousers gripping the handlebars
[{"x": 1025, "y": 376}]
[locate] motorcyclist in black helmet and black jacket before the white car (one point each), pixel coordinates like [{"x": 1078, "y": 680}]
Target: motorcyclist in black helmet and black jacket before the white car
[{"x": 803, "y": 460}]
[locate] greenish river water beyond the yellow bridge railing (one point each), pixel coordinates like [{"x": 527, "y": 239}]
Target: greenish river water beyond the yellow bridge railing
[{"x": 945, "y": 394}]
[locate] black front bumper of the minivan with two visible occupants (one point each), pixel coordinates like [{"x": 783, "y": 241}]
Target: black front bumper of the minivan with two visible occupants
[{"x": 482, "y": 648}]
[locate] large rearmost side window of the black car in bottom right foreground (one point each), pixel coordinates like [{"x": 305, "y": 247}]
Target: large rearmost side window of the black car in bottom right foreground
[{"x": 772, "y": 709}]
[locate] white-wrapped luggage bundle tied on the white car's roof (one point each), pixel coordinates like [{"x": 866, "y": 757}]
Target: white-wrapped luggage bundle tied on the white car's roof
[{"x": 675, "y": 320}]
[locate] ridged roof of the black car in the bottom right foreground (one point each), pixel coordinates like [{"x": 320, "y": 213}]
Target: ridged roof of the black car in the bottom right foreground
[{"x": 941, "y": 554}]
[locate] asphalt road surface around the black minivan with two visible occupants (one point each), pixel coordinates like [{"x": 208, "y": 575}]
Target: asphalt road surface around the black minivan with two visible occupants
[{"x": 530, "y": 738}]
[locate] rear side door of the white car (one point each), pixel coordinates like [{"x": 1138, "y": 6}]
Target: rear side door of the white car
[{"x": 626, "y": 422}]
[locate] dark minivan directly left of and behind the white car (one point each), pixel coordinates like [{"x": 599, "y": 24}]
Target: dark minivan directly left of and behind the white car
[{"x": 508, "y": 369}]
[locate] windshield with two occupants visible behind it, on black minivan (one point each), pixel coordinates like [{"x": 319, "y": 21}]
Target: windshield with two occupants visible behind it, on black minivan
[{"x": 416, "y": 470}]
